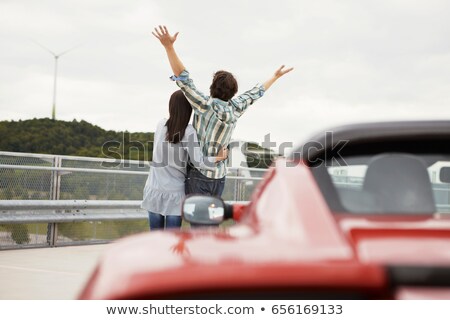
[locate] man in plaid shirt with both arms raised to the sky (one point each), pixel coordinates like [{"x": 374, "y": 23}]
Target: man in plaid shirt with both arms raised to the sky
[{"x": 215, "y": 116}]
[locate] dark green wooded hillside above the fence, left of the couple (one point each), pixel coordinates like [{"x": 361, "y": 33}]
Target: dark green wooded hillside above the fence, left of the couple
[{"x": 75, "y": 138}]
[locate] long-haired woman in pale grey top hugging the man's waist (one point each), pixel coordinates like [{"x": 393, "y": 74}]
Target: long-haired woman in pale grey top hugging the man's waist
[{"x": 174, "y": 142}]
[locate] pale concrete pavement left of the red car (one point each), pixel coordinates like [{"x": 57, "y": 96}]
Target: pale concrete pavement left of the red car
[{"x": 48, "y": 273}]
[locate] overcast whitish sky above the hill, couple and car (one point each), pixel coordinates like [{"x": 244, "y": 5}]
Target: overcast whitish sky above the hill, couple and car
[{"x": 354, "y": 60}]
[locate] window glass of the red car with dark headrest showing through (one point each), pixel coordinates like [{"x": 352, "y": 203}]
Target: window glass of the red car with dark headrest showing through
[{"x": 391, "y": 183}]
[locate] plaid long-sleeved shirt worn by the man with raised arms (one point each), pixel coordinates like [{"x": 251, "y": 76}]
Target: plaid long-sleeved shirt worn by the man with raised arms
[{"x": 215, "y": 119}]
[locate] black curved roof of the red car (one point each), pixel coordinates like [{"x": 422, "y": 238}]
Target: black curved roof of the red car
[{"x": 369, "y": 138}]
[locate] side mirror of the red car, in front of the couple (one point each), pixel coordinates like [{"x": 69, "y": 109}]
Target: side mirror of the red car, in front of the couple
[{"x": 203, "y": 210}]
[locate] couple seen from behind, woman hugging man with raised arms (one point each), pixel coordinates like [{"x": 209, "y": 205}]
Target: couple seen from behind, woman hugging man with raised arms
[{"x": 202, "y": 144}]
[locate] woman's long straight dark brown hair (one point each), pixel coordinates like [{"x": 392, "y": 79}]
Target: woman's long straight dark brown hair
[{"x": 180, "y": 112}]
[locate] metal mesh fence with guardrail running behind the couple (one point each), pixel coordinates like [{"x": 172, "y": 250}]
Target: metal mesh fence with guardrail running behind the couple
[{"x": 54, "y": 200}]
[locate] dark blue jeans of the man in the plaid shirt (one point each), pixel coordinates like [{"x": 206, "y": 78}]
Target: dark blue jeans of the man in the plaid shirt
[{"x": 197, "y": 183}]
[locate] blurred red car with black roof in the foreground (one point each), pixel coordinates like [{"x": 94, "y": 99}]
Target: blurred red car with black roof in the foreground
[{"x": 357, "y": 212}]
